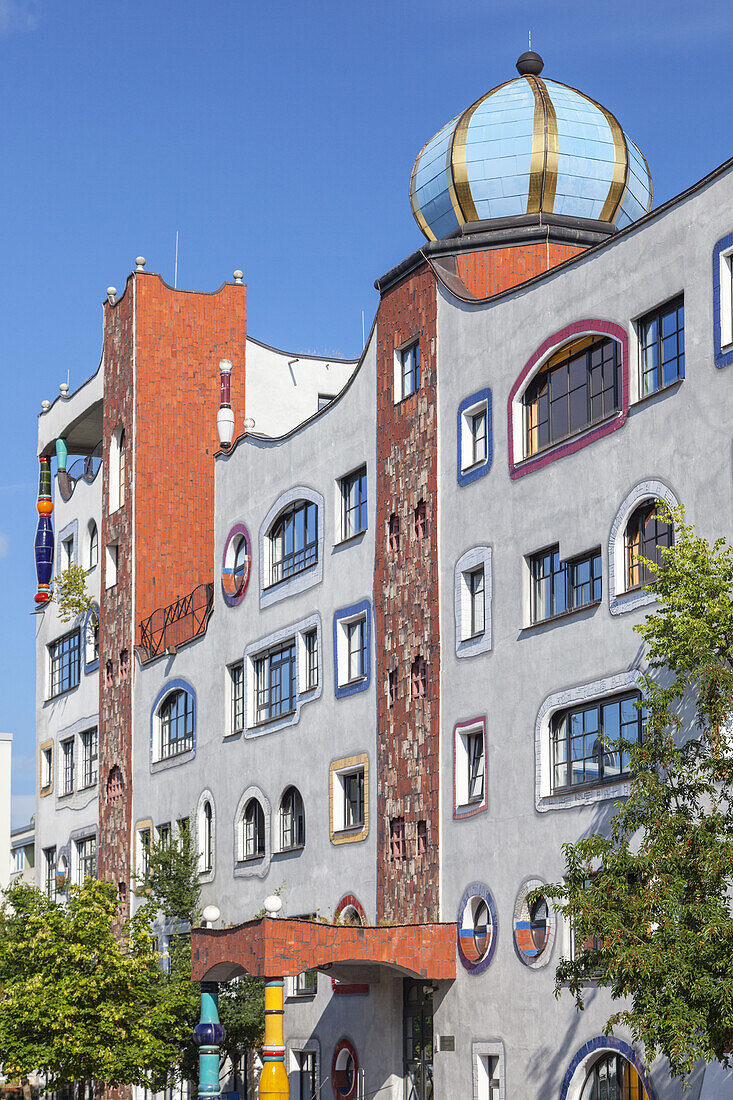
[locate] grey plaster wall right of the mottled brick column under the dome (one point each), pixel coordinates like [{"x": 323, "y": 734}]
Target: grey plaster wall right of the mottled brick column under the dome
[{"x": 682, "y": 438}]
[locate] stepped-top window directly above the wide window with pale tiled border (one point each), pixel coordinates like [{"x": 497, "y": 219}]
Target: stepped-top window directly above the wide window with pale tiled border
[{"x": 560, "y": 587}]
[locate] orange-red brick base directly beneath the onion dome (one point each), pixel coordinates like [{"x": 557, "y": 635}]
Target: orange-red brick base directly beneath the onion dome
[{"x": 487, "y": 273}]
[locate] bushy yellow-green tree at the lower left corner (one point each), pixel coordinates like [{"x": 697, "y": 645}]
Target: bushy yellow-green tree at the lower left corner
[{"x": 80, "y": 999}]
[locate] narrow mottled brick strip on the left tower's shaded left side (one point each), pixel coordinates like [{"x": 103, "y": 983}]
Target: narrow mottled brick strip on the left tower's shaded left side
[{"x": 116, "y": 625}]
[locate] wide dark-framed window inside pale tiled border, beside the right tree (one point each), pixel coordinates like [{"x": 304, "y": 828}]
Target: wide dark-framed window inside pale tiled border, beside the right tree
[{"x": 586, "y": 750}]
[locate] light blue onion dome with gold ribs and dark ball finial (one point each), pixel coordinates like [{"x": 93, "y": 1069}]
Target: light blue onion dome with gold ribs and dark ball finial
[{"x": 530, "y": 146}]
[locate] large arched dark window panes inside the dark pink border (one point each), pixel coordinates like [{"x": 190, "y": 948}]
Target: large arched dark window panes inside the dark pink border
[{"x": 577, "y": 389}]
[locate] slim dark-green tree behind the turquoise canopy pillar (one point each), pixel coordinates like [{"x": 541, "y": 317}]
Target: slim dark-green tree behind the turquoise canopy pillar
[{"x": 173, "y": 887}]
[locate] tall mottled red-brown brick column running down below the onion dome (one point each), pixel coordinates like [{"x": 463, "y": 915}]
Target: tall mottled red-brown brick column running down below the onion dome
[{"x": 407, "y": 607}]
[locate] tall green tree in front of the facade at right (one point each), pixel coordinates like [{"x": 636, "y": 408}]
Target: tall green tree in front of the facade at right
[{"x": 650, "y": 903}]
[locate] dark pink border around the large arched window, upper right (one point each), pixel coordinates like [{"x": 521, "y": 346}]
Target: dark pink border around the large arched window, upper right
[{"x": 588, "y": 327}]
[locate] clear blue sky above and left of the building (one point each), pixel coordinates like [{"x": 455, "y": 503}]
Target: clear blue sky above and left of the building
[{"x": 279, "y": 139}]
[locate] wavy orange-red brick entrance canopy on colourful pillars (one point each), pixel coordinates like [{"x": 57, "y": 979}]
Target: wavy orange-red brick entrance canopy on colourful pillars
[{"x": 278, "y": 948}]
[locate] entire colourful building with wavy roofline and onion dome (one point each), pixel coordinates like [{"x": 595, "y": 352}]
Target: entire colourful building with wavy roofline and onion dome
[{"x": 368, "y": 648}]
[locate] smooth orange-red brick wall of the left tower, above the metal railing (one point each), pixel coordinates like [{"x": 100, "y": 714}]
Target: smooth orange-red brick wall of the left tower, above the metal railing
[{"x": 181, "y": 337}]
